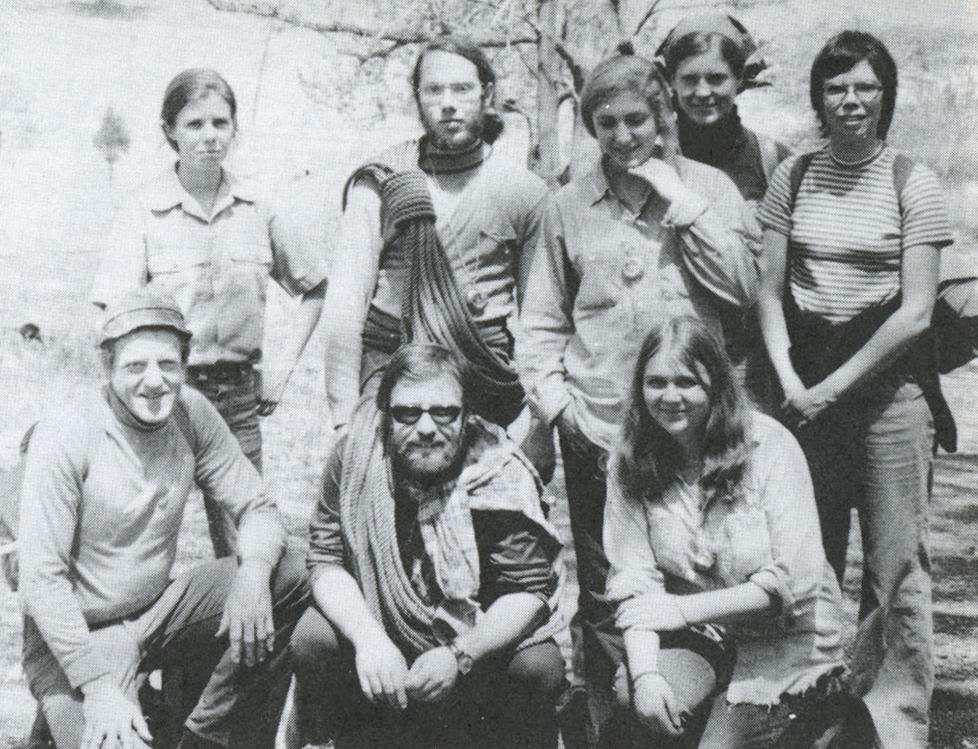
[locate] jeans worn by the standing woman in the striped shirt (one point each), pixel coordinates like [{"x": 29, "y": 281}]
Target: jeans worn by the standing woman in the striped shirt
[{"x": 874, "y": 452}]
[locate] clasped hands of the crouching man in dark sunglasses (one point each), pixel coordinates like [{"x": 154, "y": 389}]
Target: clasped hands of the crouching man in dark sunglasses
[{"x": 385, "y": 677}]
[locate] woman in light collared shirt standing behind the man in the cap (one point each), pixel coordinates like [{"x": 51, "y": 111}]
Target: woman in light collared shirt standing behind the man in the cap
[{"x": 213, "y": 241}]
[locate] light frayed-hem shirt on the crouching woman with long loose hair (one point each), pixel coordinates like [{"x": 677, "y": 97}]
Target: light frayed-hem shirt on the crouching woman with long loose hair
[{"x": 769, "y": 535}]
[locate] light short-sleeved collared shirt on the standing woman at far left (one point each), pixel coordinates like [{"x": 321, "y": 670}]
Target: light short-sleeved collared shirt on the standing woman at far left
[{"x": 216, "y": 267}]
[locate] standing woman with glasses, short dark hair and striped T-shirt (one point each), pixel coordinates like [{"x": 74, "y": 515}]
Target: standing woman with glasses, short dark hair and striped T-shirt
[{"x": 852, "y": 237}]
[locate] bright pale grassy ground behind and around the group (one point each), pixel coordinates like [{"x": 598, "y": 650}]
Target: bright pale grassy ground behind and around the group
[{"x": 304, "y": 125}]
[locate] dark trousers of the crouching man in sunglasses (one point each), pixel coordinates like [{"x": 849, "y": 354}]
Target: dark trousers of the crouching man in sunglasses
[{"x": 507, "y": 700}]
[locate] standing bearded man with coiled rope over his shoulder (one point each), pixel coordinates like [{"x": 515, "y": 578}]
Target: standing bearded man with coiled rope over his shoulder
[{"x": 483, "y": 213}]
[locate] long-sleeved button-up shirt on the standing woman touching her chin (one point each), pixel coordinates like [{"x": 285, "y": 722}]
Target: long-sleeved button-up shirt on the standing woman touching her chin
[{"x": 604, "y": 275}]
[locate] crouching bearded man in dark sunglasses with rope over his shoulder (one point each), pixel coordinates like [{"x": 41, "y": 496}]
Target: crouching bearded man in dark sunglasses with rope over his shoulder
[{"x": 435, "y": 575}]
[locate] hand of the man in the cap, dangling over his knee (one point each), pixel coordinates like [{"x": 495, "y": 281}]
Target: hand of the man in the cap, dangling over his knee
[{"x": 247, "y": 618}]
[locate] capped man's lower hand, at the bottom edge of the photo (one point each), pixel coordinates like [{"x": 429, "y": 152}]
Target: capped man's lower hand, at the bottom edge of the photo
[{"x": 111, "y": 719}]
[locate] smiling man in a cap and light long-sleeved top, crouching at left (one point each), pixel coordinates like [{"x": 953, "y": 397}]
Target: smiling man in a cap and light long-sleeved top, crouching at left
[{"x": 105, "y": 484}]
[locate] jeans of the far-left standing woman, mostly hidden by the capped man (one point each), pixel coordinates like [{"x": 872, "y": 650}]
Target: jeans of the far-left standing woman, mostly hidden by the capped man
[{"x": 237, "y": 403}]
